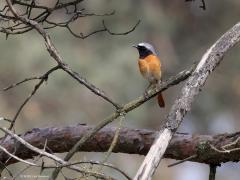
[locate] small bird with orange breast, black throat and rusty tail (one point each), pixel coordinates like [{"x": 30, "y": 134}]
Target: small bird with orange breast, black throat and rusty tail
[{"x": 150, "y": 67}]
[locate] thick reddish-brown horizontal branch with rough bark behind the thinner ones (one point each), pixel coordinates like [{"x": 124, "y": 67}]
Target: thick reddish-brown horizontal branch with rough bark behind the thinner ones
[{"x": 131, "y": 141}]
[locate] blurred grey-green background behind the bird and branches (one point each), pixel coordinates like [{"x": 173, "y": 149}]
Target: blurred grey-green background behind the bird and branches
[{"x": 180, "y": 31}]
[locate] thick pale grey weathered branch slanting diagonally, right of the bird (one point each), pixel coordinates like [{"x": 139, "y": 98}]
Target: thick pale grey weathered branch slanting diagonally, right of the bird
[{"x": 183, "y": 103}]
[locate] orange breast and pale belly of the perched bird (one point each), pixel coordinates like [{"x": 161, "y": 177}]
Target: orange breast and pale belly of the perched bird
[{"x": 150, "y": 68}]
